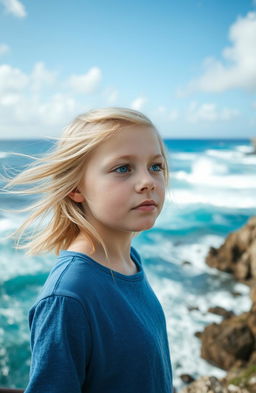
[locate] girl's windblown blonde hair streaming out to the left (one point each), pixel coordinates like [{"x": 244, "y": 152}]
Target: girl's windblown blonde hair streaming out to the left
[{"x": 59, "y": 172}]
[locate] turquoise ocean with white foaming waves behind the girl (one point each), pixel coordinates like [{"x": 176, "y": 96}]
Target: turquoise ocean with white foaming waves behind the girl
[{"x": 211, "y": 193}]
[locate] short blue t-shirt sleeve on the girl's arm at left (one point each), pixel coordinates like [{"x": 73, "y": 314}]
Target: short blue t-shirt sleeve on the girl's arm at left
[{"x": 60, "y": 344}]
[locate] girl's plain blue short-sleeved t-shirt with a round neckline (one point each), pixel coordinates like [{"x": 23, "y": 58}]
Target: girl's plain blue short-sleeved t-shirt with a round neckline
[{"x": 94, "y": 332}]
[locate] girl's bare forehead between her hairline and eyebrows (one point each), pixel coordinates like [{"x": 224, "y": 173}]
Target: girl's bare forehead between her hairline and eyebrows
[{"x": 130, "y": 140}]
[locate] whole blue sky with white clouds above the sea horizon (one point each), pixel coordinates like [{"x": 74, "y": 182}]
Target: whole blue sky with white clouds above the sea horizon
[{"x": 190, "y": 65}]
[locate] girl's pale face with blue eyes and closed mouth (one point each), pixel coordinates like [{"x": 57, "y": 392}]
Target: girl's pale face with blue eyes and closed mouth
[{"x": 120, "y": 174}]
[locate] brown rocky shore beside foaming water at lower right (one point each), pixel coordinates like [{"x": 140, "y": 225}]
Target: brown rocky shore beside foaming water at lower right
[{"x": 231, "y": 344}]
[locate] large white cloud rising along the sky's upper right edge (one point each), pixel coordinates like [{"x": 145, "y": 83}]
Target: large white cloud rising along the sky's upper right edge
[{"x": 237, "y": 69}]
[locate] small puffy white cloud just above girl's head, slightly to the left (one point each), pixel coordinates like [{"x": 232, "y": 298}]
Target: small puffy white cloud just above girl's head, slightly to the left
[{"x": 86, "y": 83}]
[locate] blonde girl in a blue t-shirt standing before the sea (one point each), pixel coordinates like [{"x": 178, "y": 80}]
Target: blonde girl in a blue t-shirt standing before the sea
[{"x": 97, "y": 326}]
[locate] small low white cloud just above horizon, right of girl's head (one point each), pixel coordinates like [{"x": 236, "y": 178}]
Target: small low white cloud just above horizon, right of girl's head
[{"x": 209, "y": 112}]
